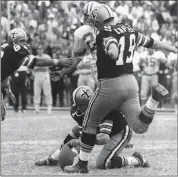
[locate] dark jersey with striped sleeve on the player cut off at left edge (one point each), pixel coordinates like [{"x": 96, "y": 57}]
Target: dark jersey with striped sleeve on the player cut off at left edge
[{"x": 12, "y": 57}]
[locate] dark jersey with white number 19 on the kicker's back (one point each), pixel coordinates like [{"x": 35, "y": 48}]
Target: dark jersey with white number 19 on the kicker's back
[{"x": 127, "y": 39}]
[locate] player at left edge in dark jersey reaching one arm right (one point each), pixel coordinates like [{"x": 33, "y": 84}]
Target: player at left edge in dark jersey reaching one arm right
[{"x": 15, "y": 53}]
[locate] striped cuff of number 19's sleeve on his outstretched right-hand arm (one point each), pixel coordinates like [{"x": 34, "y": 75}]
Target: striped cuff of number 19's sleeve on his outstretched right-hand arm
[{"x": 143, "y": 40}]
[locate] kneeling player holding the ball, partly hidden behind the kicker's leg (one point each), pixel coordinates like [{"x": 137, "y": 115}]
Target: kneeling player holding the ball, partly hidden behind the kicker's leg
[{"x": 113, "y": 132}]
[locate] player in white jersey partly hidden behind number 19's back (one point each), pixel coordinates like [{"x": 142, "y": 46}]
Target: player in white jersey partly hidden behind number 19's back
[{"x": 85, "y": 37}]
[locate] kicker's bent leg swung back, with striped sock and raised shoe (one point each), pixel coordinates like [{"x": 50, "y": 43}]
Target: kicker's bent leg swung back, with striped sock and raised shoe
[{"x": 137, "y": 119}]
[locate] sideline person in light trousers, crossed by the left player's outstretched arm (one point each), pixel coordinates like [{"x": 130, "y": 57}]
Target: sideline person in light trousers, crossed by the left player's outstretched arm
[{"x": 42, "y": 82}]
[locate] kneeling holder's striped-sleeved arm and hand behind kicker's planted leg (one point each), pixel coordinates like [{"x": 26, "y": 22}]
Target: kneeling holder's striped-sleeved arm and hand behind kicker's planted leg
[{"x": 105, "y": 129}]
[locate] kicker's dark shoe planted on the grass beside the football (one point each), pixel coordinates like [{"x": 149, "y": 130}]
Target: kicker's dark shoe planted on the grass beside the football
[{"x": 77, "y": 168}]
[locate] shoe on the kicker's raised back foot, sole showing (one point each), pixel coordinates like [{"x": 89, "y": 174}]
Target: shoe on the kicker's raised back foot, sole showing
[{"x": 158, "y": 91}]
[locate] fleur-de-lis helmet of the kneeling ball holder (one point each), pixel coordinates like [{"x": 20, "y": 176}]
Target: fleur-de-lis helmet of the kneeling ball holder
[{"x": 81, "y": 95}]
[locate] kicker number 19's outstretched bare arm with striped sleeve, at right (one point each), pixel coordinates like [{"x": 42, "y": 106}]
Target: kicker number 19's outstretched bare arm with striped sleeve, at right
[{"x": 149, "y": 42}]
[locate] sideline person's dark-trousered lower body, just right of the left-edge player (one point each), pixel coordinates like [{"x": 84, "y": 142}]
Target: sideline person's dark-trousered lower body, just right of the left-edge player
[{"x": 18, "y": 86}]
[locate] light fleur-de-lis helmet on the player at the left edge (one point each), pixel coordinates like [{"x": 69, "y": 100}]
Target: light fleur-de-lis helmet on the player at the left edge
[{"x": 17, "y": 36}]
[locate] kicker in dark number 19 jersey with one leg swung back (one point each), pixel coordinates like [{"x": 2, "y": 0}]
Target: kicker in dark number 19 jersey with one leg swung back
[{"x": 117, "y": 87}]
